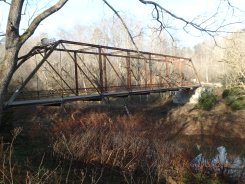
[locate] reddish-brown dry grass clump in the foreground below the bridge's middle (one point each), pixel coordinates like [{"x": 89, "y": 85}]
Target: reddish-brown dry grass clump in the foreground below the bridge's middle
[{"x": 129, "y": 143}]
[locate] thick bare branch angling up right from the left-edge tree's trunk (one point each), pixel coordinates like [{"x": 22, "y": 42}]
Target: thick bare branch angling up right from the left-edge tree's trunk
[{"x": 34, "y": 24}]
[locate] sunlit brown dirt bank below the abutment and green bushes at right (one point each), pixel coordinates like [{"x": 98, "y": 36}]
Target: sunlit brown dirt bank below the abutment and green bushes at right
[{"x": 221, "y": 121}]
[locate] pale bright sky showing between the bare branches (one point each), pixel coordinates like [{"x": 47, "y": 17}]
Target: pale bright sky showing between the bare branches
[{"x": 88, "y": 12}]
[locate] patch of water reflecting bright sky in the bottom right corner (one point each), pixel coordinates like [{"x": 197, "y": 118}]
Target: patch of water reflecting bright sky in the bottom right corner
[{"x": 222, "y": 164}]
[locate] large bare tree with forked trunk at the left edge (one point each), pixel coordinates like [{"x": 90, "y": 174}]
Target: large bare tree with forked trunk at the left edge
[{"x": 14, "y": 41}]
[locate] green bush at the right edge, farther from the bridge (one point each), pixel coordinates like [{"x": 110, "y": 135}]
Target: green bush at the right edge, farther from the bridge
[{"x": 235, "y": 98}]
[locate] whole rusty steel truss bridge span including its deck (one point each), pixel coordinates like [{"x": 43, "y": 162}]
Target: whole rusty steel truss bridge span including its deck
[{"x": 67, "y": 71}]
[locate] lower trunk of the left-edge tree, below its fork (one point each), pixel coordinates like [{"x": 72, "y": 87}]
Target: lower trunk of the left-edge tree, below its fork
[{"x": 7, "y": 68}]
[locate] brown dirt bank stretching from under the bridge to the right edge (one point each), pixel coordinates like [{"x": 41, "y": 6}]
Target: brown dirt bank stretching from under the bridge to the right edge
[{"x": 181, "y": 120}]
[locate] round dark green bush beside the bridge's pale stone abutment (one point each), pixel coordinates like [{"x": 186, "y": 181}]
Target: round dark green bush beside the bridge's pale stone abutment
[{"x": 207, "y": 100}]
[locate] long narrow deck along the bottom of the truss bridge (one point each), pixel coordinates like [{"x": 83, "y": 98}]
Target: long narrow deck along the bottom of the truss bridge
[{"x": 94, "y": 97}]
